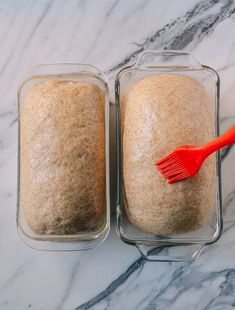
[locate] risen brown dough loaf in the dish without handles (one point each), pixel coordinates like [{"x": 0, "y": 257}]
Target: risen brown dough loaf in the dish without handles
[{"x": 62, "y": 157}]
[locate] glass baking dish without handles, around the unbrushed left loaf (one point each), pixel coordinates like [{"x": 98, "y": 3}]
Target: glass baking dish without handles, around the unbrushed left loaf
[{"x": 83, "y": 239}]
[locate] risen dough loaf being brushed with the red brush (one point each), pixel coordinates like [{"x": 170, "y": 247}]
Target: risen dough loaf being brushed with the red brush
[{"x": 160, "y": 113}]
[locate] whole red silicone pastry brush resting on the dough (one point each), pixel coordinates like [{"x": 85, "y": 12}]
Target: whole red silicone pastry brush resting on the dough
[{"x": 186, "y": 160}]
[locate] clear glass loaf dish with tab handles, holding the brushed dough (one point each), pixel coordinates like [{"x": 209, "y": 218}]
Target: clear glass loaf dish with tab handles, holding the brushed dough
[{"x": 171, "y": 247}]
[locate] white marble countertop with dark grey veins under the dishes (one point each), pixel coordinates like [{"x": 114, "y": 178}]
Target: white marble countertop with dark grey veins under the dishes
[{"x": 111, "y": 34}]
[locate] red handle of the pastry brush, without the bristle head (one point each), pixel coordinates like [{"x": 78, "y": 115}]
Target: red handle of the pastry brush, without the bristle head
[{"x": 225, "y": 139}]
